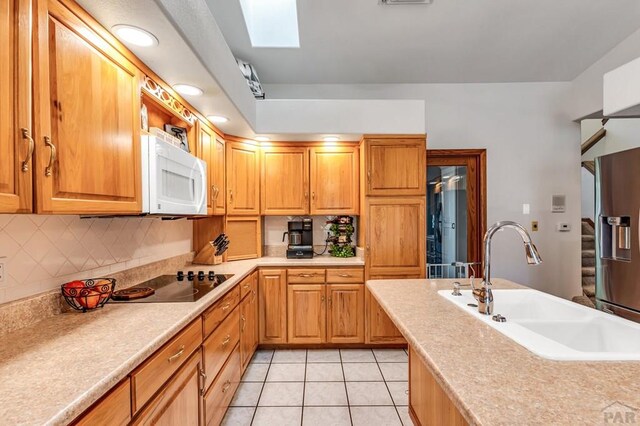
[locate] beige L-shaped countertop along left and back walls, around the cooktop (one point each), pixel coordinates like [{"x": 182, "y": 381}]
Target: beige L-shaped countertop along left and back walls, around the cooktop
[{"x": 53, "y": 371}]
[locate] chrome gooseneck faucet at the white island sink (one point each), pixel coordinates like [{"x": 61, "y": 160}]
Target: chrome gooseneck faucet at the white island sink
[{"x": 483, "y": 294}]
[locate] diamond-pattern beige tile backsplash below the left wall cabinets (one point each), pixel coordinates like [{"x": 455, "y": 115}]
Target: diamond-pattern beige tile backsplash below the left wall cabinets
[{"x": 40, "y": 252}]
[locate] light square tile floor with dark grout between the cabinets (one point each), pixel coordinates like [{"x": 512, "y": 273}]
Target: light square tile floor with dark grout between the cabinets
[{"x": 319, "y": 387}]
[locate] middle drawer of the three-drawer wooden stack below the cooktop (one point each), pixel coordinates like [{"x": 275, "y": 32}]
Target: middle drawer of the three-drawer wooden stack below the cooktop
[{"x": 219, "y": 345}]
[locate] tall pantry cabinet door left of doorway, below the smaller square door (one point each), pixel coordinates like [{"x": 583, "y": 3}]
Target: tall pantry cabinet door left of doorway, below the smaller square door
[{"x": 396, "y": 240}]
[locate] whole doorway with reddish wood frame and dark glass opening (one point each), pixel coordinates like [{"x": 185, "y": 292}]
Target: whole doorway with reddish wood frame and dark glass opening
[{"x": 456, "y": 212}]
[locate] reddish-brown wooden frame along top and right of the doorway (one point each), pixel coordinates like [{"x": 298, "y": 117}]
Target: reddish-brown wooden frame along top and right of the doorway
[{"x": 476, "y": 162}]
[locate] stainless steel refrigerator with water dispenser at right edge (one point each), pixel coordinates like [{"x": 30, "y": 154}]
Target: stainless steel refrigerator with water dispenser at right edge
[{"x": 617, "y": 219}]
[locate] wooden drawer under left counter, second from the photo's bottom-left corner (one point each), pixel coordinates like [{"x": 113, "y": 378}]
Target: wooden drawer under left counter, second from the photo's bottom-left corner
[{"x": 147, "y": 379}]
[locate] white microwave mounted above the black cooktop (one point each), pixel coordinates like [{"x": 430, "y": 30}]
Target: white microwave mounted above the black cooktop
[{"x": 173, "y": 181}]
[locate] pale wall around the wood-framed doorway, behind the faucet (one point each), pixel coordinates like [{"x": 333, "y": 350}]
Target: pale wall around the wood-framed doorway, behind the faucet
[{"x": 533, "y": 152}]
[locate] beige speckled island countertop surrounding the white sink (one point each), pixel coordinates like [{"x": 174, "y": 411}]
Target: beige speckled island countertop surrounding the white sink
[{"x": 493, "y": 380}]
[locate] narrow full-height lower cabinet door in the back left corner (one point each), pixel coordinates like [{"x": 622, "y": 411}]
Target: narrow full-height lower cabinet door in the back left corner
[{"x": 272, "y": 289}]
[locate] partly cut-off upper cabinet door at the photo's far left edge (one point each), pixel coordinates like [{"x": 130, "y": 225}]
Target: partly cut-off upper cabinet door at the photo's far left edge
[{"x": 16, "y": 142}]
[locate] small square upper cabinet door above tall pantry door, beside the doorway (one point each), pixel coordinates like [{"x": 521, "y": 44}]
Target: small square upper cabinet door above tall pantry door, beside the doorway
[{"x": 396, "y": 166}]
